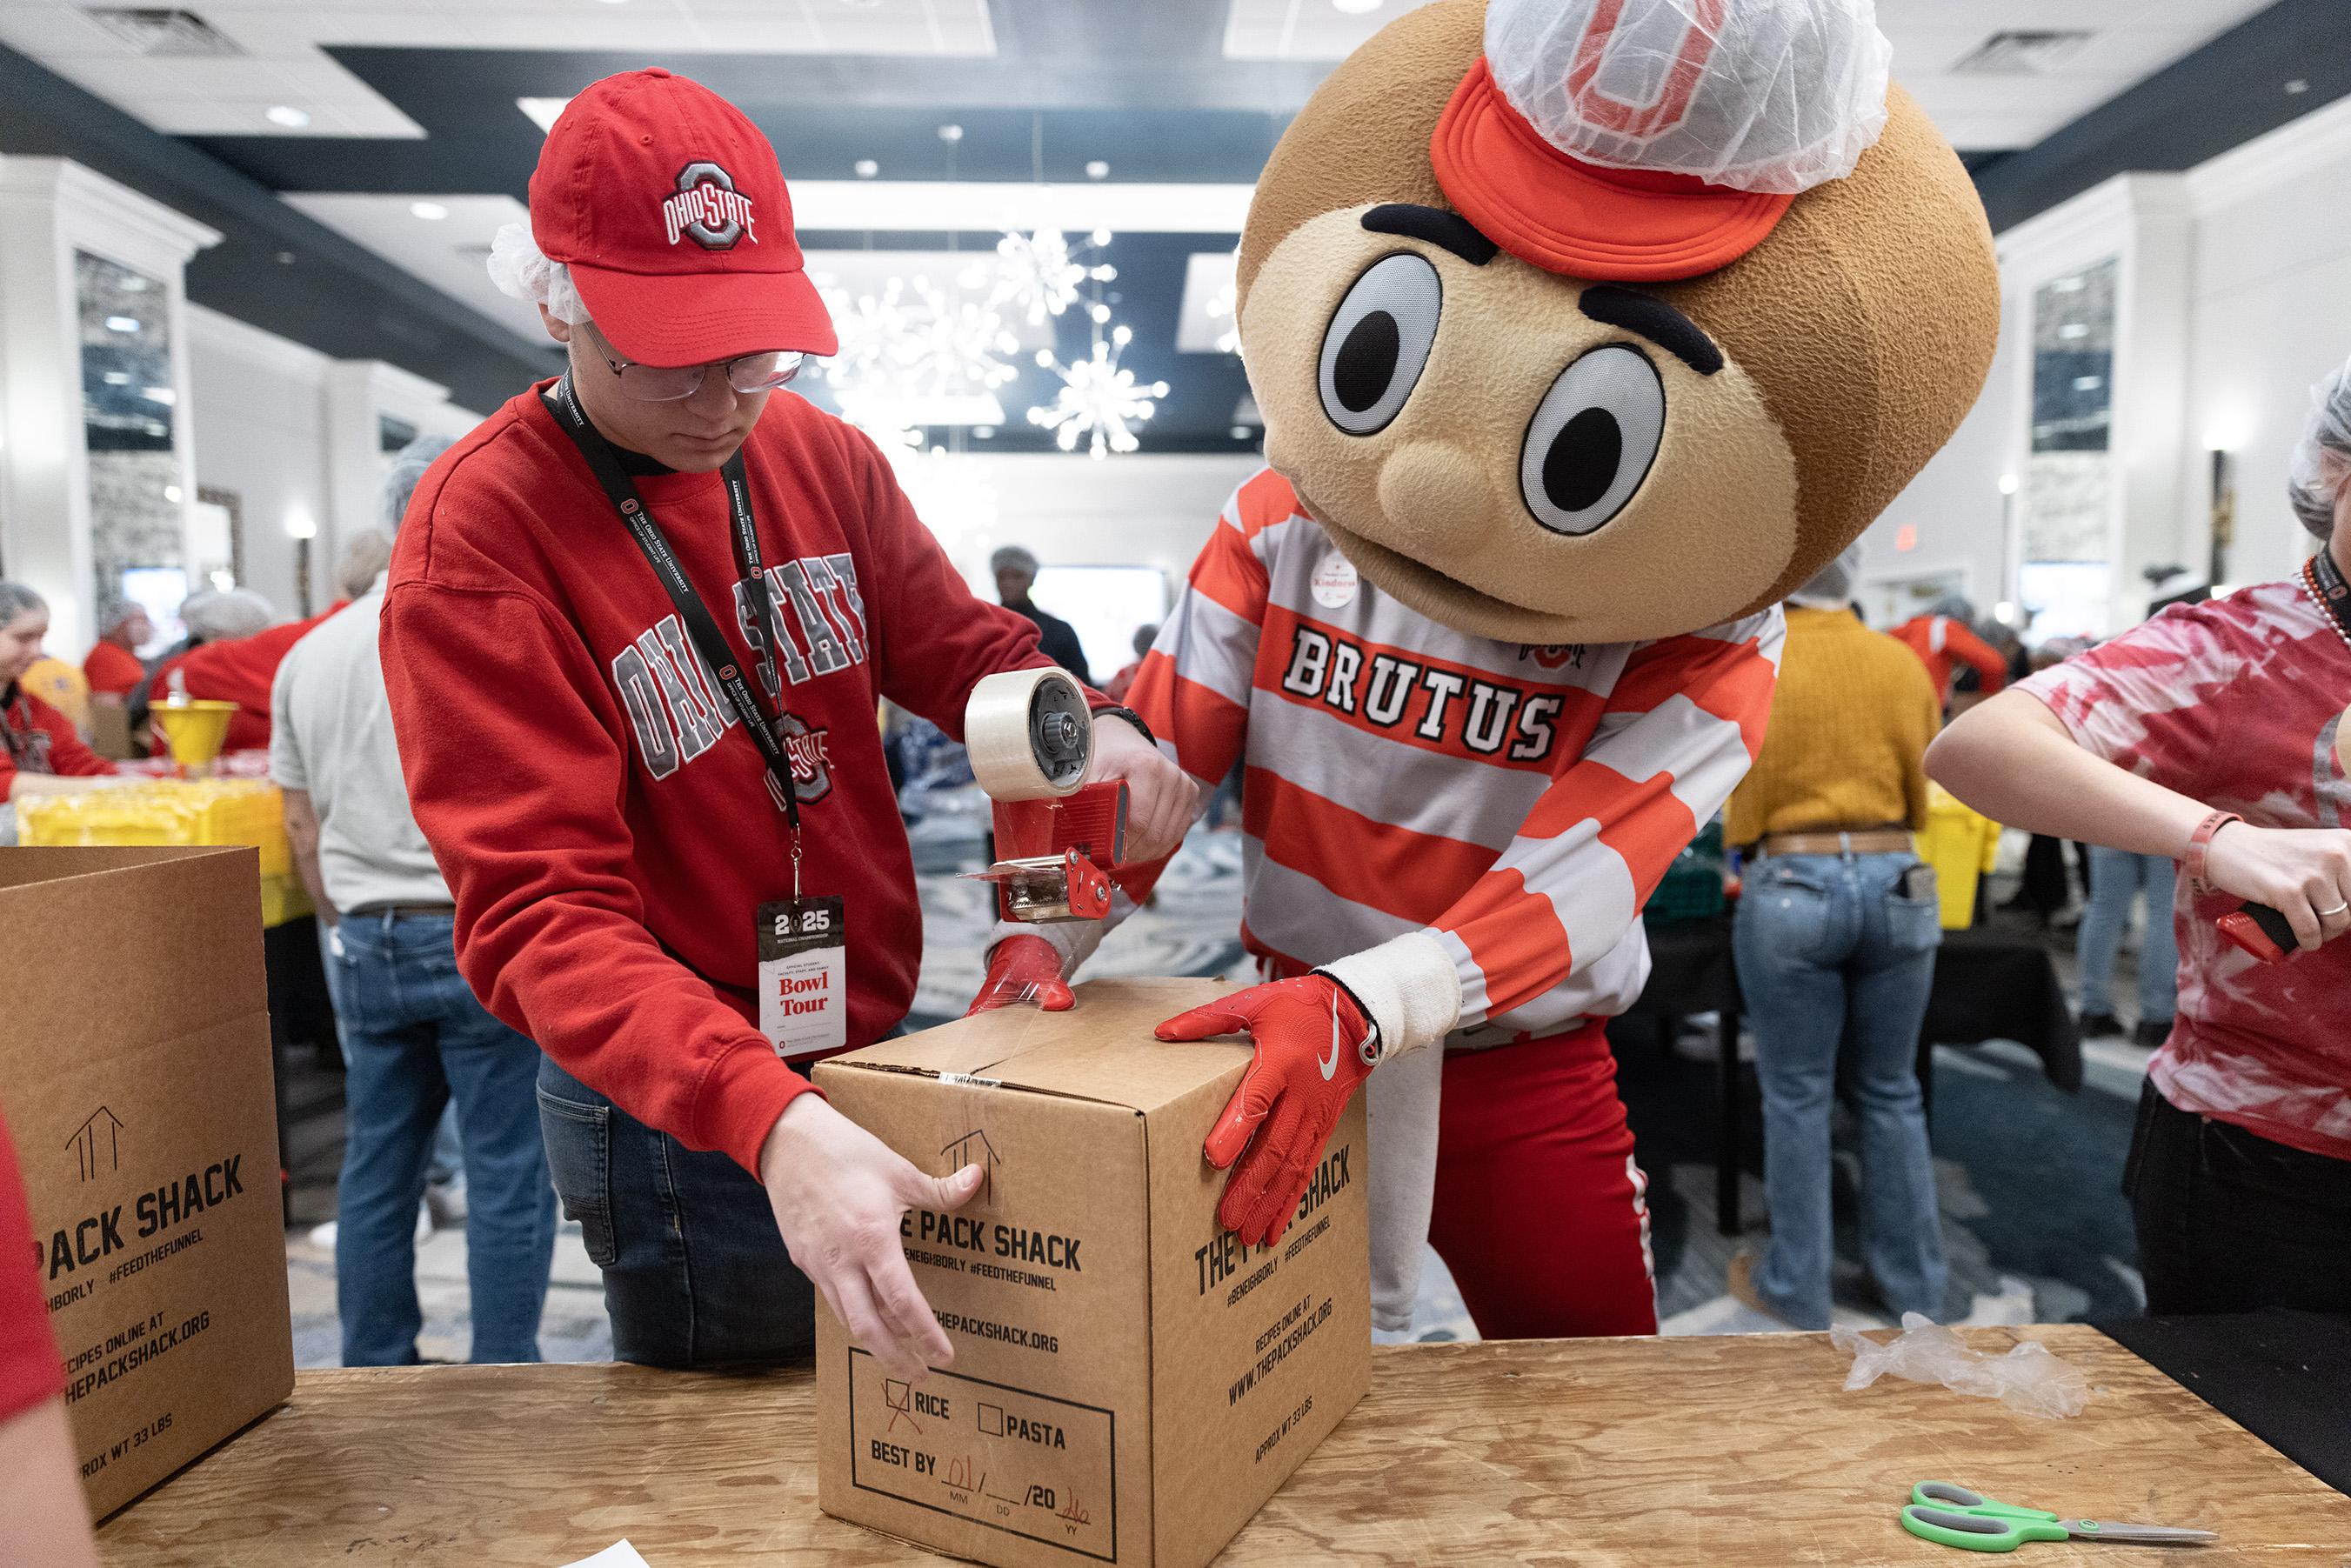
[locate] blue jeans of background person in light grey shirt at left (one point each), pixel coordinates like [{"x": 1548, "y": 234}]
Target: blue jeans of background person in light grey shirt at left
[{"x": 420, "y": 1040}]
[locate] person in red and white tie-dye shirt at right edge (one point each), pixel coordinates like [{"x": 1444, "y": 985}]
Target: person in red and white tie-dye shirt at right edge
[{"x": 2218, "y": 735}]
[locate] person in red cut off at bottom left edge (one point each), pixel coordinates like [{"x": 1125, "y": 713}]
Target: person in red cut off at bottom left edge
[{"x": 43, "y": 1515}]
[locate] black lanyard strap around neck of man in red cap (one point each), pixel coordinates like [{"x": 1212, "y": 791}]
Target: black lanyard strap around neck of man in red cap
[{"x": 702, "y": 626}]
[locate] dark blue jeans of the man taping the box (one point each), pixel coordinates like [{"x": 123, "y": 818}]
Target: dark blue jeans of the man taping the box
[{"x": 695, "y": 1268}]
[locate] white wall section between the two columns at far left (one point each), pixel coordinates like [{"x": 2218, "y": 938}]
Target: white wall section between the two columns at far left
[{"x": 260, "y": 420}]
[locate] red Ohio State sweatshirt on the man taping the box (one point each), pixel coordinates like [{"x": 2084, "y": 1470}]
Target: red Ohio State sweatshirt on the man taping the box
[{"x": 568, "y": 756}]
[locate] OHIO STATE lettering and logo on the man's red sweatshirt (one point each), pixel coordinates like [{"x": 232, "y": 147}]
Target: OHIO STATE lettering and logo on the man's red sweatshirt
[{"x": 674, "y": 702}]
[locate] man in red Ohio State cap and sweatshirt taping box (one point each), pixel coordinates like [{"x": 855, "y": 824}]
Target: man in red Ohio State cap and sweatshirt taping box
[{"x": 636, "y": 636}]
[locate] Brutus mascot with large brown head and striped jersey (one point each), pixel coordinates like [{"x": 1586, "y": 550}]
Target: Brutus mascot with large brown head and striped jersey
[{"x": 1586, "y": 330}]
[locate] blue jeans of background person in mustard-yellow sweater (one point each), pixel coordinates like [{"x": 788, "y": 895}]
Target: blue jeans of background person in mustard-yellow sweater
[{"x": 1833, "y": 953}]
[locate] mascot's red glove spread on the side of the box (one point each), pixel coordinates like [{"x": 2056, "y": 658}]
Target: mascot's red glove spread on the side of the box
[{"x": 1311, "y": 1059}]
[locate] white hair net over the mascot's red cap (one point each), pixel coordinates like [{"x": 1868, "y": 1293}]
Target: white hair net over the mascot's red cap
[{"x": 1755, "y": 95}]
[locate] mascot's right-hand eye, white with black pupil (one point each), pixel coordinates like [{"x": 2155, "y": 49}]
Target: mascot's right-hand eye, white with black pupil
[{"x": 1593, "y": 441}]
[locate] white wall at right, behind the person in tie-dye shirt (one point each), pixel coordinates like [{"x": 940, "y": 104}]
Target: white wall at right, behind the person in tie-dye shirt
[{"x": 2237, "y": 297}]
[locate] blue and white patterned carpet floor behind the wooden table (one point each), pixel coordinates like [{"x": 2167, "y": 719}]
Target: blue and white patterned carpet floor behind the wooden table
[{"x": 2028, "y": 1177}]
